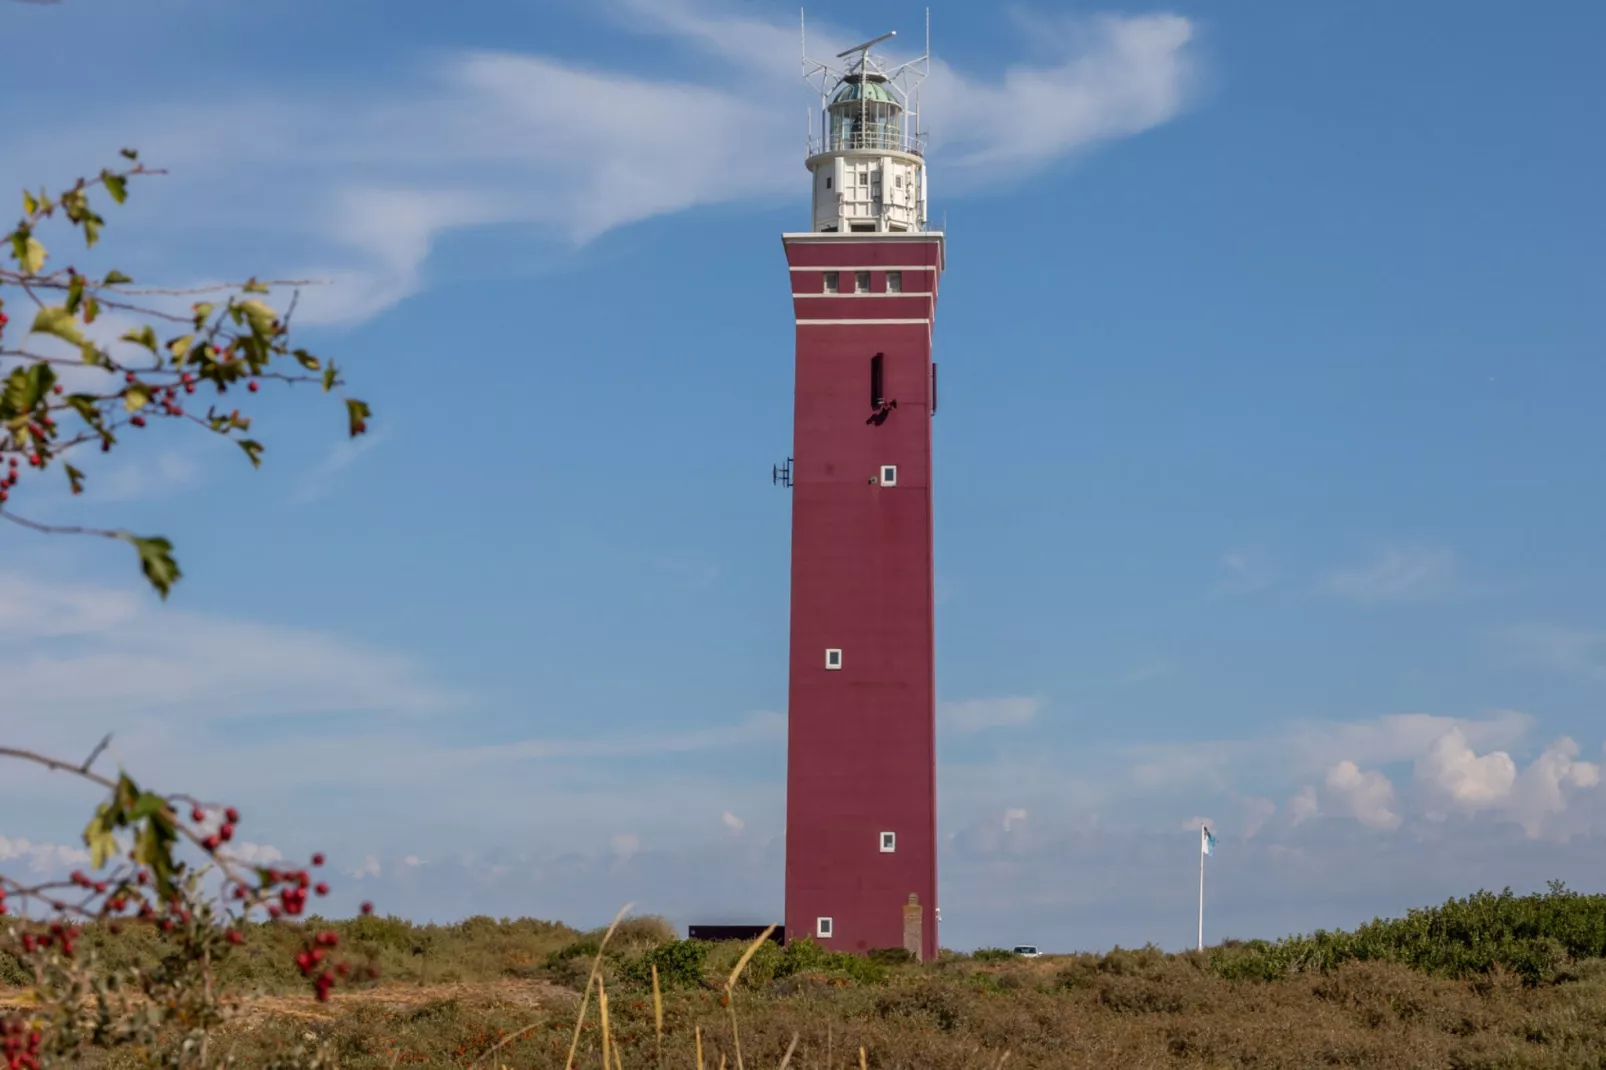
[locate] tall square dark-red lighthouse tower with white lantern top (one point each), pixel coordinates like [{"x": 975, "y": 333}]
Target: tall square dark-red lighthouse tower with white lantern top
[{"x": 862, "y": 753}]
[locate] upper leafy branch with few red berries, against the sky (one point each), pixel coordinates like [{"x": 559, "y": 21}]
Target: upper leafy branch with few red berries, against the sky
[{"x": 63, "y": 390}]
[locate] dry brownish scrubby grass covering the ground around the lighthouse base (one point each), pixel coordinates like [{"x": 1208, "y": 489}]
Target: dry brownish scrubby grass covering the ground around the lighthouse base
[{"x": 529, "y": 997}]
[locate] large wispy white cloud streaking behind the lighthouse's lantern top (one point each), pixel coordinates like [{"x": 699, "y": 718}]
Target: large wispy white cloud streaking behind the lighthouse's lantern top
[{"x": 494, "y": 137}]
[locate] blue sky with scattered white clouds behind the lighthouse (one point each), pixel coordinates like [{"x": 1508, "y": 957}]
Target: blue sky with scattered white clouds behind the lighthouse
[{"x": 1268, "y": 473}]
